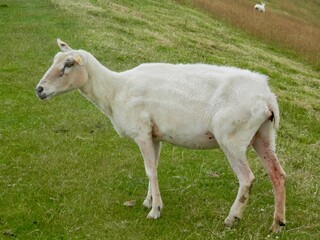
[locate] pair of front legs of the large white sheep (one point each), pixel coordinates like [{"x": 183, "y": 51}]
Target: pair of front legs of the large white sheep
[{"x": 150, "y": 152}]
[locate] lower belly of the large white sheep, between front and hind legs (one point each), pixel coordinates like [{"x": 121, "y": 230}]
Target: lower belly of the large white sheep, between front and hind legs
[{"x": 204, "y": 140}]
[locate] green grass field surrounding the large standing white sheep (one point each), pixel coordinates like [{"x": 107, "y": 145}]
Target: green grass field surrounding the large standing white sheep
[{"x": 65, "y": 174}]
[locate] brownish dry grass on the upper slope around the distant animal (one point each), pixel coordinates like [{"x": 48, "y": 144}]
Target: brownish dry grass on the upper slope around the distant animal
[{"x": 293, "y": 25}]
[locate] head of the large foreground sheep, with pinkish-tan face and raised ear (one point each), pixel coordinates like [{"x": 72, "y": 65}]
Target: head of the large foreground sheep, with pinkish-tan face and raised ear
[{"x": 67, "y": 72}]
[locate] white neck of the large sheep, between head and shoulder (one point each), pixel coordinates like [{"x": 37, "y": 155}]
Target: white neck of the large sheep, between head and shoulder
[{"x": 101, "y": 86}]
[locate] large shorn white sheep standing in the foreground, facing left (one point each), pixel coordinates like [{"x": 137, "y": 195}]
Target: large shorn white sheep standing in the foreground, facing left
[{"x": 195, "y": 106}]
